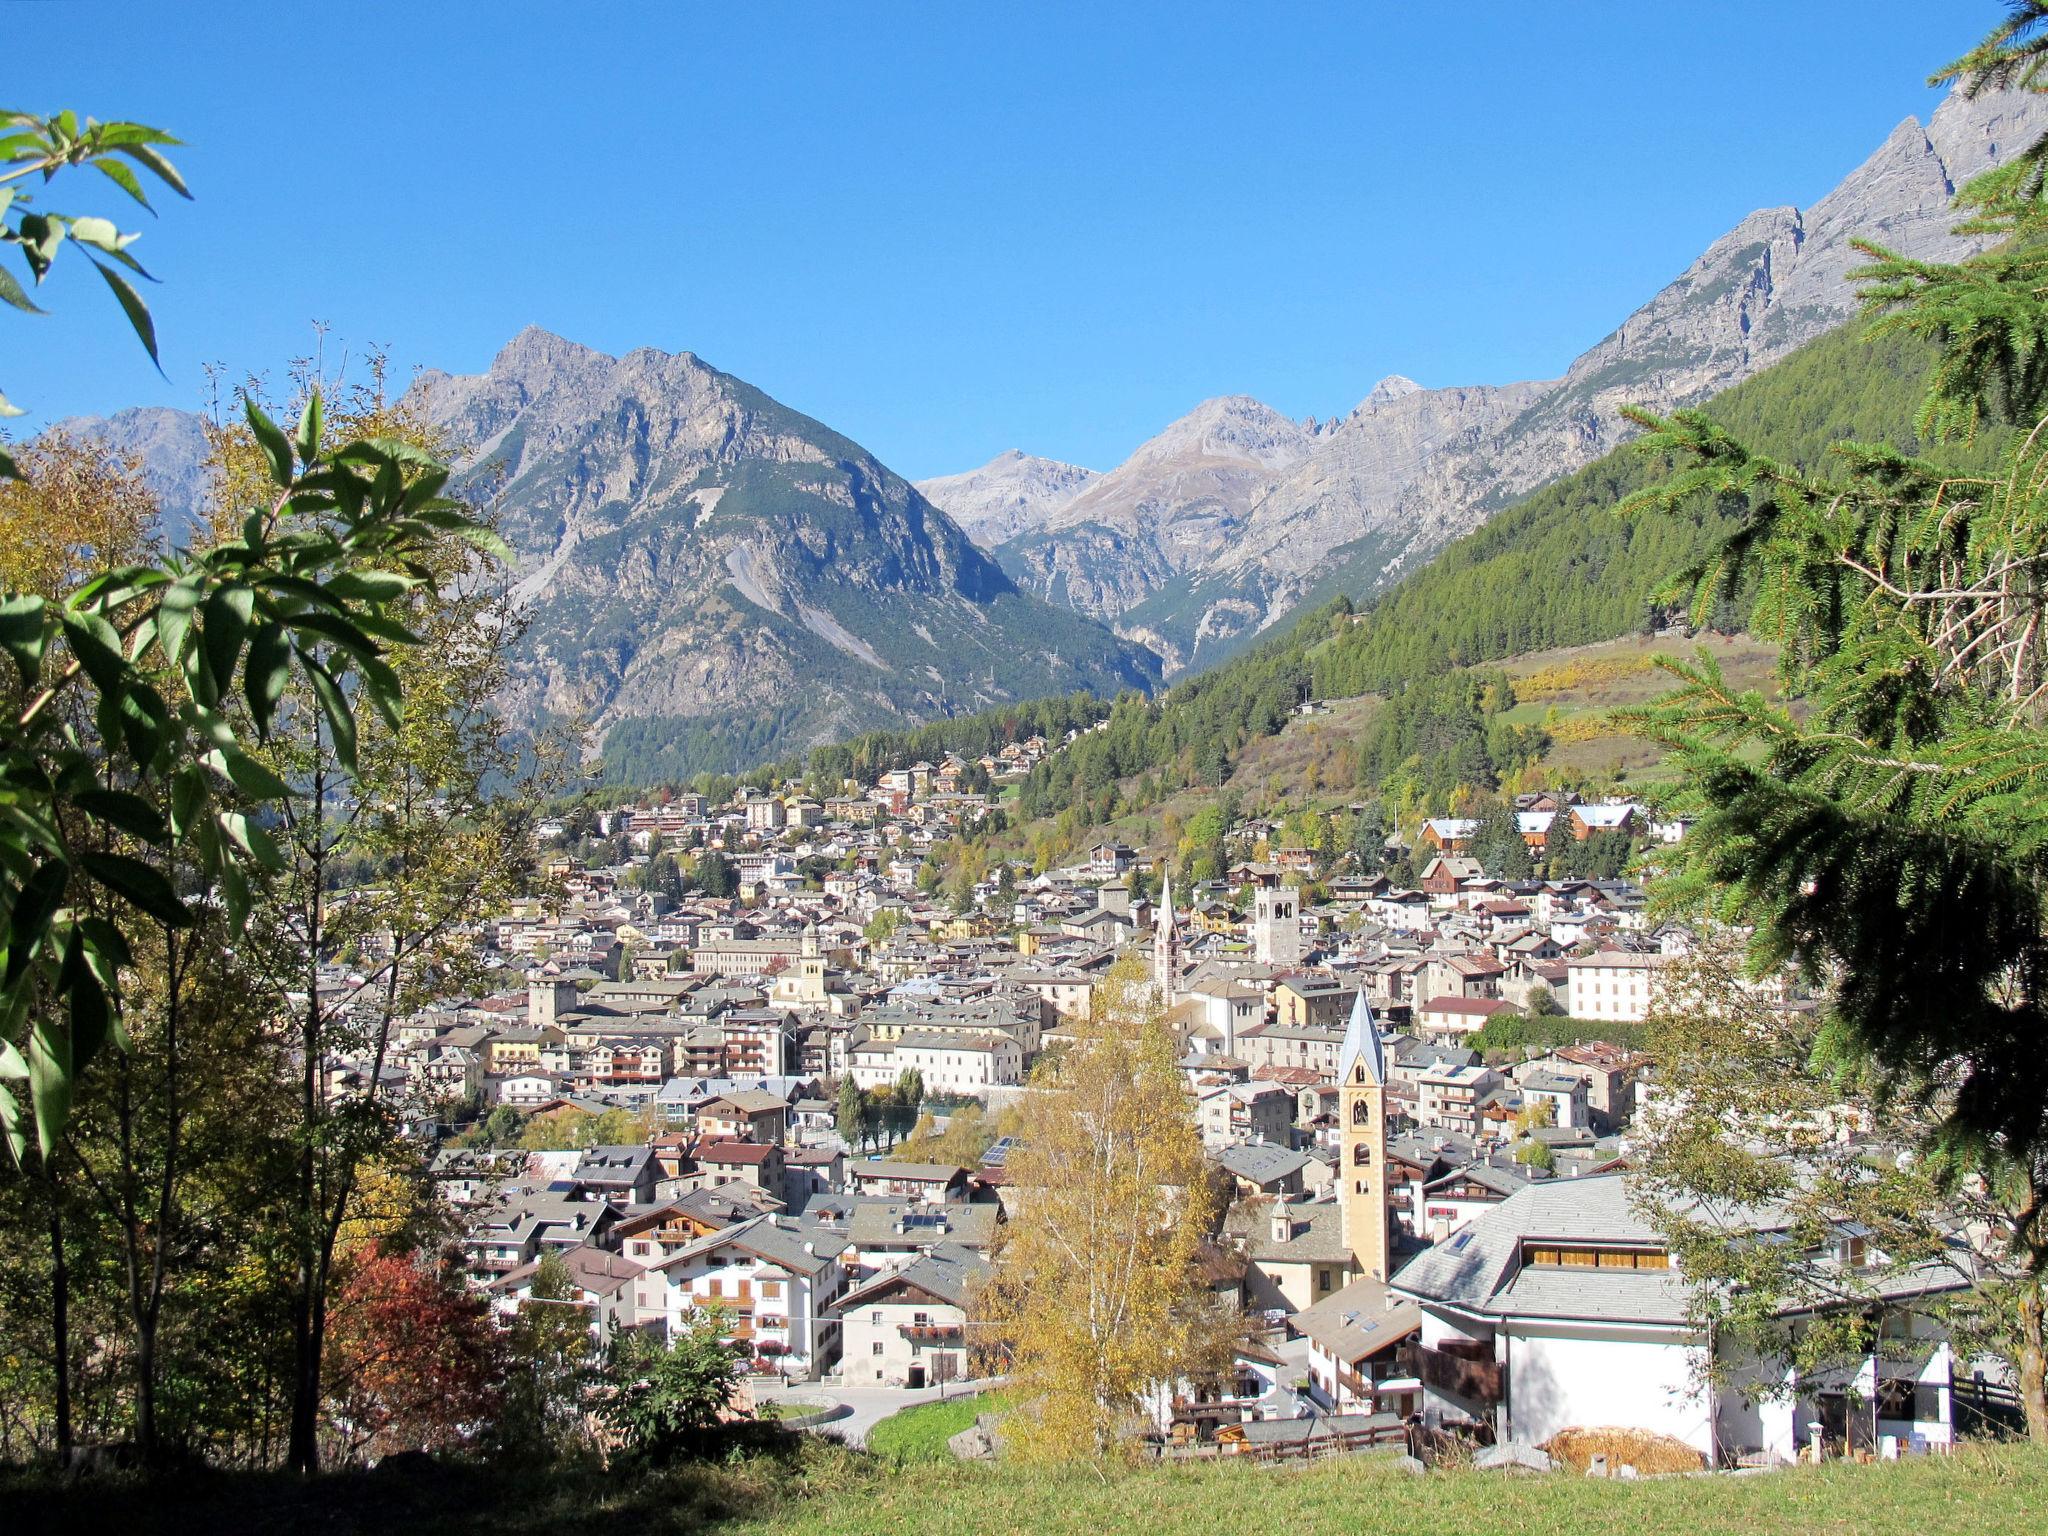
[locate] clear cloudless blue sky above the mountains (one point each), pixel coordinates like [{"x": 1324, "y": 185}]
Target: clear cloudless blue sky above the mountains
[{"x": 949, "y": 230}]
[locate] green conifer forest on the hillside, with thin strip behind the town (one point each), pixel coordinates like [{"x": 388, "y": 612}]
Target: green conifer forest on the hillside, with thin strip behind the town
[{"x": 1562, "y": 568}]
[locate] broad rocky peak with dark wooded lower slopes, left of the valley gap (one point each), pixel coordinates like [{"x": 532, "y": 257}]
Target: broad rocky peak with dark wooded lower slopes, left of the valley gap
[{"x": 716, "y": 579}]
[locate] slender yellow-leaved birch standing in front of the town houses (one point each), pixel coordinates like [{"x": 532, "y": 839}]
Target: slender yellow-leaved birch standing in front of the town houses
[{"x": 1095, "y": 1291}]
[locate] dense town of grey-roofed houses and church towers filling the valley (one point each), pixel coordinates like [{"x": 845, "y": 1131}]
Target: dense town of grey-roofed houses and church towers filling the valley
[{"x": 1418, "y": 1228}]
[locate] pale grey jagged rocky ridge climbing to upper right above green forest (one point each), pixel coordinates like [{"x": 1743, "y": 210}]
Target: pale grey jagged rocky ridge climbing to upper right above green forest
[{"x": 1383, "y": 488}]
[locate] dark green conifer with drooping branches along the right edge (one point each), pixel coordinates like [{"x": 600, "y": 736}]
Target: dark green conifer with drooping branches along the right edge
[{"x": 1885, "y": 822}]
